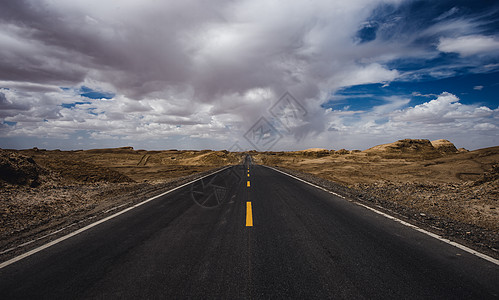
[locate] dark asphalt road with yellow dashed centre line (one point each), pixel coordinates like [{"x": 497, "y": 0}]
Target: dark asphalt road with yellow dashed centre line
[{"x": 303, "y": 243}]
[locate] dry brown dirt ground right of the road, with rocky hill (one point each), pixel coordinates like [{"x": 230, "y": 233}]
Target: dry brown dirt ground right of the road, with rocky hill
[{"x": 453, "y": 191}]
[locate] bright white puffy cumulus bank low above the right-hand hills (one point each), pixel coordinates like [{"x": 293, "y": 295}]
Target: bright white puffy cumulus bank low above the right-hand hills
[{"x": 443, "y": 116}]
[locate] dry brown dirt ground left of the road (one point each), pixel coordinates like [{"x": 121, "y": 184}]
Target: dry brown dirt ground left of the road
[{"x": 41, "y": 191}]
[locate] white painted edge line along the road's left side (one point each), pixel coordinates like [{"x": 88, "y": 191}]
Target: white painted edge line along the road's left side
[{"x": 56, "y": 241}]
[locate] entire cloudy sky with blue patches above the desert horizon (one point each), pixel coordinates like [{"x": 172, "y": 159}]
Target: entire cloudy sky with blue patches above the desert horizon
[{"x": 249, "y": 74}]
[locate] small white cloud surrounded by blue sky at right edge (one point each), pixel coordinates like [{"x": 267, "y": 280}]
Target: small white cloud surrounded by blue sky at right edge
[{"x": 470, "y": 45}]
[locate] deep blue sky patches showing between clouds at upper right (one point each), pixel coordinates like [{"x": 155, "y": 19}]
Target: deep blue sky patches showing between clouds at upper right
[{"x": 465, "y": 77}]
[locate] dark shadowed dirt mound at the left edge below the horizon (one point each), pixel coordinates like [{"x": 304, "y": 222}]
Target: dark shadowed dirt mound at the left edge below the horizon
[{"x": 19, "y": 169}]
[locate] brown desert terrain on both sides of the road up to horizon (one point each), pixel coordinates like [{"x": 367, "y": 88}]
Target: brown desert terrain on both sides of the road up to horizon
[{"x": 451, "y": 191}]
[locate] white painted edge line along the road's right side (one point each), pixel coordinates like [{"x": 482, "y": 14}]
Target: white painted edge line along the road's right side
[{"x": 433, "y": 235}]
